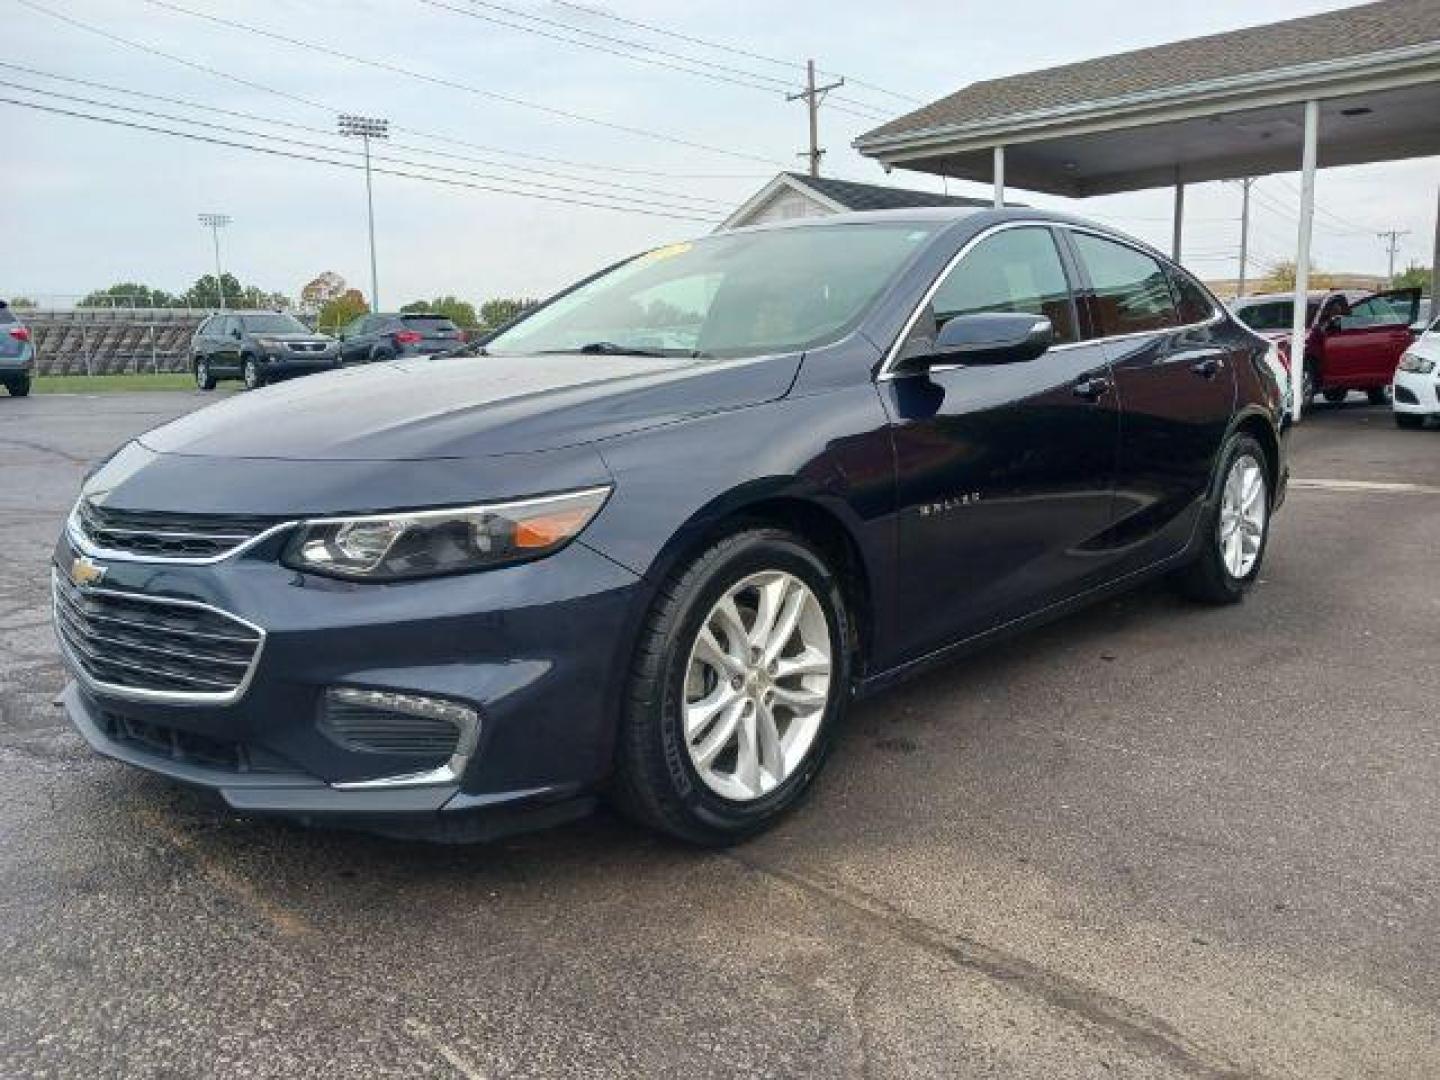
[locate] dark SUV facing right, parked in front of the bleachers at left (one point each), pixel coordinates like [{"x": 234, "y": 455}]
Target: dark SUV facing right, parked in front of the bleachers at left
[{"x": 258, "y": 348}]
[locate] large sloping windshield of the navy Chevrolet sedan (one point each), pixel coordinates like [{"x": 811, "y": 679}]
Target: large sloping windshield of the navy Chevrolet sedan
[{"x": 738, "y": 294}]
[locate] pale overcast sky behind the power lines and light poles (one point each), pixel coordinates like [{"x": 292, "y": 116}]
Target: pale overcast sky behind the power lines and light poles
[{"x": 84, "y": 205}]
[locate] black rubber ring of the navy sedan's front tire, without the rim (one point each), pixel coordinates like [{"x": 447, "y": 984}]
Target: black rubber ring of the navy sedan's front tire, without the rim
[{"x": 757, "y": 554}]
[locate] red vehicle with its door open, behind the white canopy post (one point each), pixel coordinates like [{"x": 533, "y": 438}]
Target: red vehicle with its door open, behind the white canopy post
[{"x": 1354, "y": 339}]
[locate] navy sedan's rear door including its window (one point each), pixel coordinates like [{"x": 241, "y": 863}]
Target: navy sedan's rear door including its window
[{"x": 1176, "y": 384}]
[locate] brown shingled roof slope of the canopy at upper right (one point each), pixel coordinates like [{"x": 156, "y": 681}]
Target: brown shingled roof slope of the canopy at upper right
[{"x": 1376, "y": 28}]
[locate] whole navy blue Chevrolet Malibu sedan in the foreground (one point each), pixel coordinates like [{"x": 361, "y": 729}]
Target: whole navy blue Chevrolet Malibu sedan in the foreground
[{"x": 473, "y": 601}]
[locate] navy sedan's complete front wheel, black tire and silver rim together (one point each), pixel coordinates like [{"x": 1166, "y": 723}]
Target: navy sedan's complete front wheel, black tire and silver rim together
[{"x": 739, "y": 683}]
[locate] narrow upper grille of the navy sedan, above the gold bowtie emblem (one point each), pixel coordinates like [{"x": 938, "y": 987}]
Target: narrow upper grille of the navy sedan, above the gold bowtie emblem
[{"x": 189, "y": 538}]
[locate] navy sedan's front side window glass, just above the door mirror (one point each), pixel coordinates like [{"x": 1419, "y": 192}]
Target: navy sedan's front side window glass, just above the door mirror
[{"x": 1016, "y": 270}]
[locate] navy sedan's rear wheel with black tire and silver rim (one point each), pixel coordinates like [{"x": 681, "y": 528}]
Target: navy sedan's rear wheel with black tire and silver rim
[{"x": 1235, "y": 531}]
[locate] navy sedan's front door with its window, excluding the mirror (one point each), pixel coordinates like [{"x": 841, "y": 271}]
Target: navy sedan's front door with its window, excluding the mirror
[{"x": 1004, "y": 472}]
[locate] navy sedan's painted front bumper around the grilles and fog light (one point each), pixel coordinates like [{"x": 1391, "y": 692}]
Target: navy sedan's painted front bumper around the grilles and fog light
[{"x": 534, "y": 649}]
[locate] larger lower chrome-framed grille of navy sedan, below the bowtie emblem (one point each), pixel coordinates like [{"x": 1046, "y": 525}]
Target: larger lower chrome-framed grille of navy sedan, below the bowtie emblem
[{"x": 155, "y": 649}]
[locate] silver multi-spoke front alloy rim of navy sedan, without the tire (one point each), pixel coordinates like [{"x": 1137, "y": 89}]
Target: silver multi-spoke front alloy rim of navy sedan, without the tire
[{"x": 757, "y": 686}]
